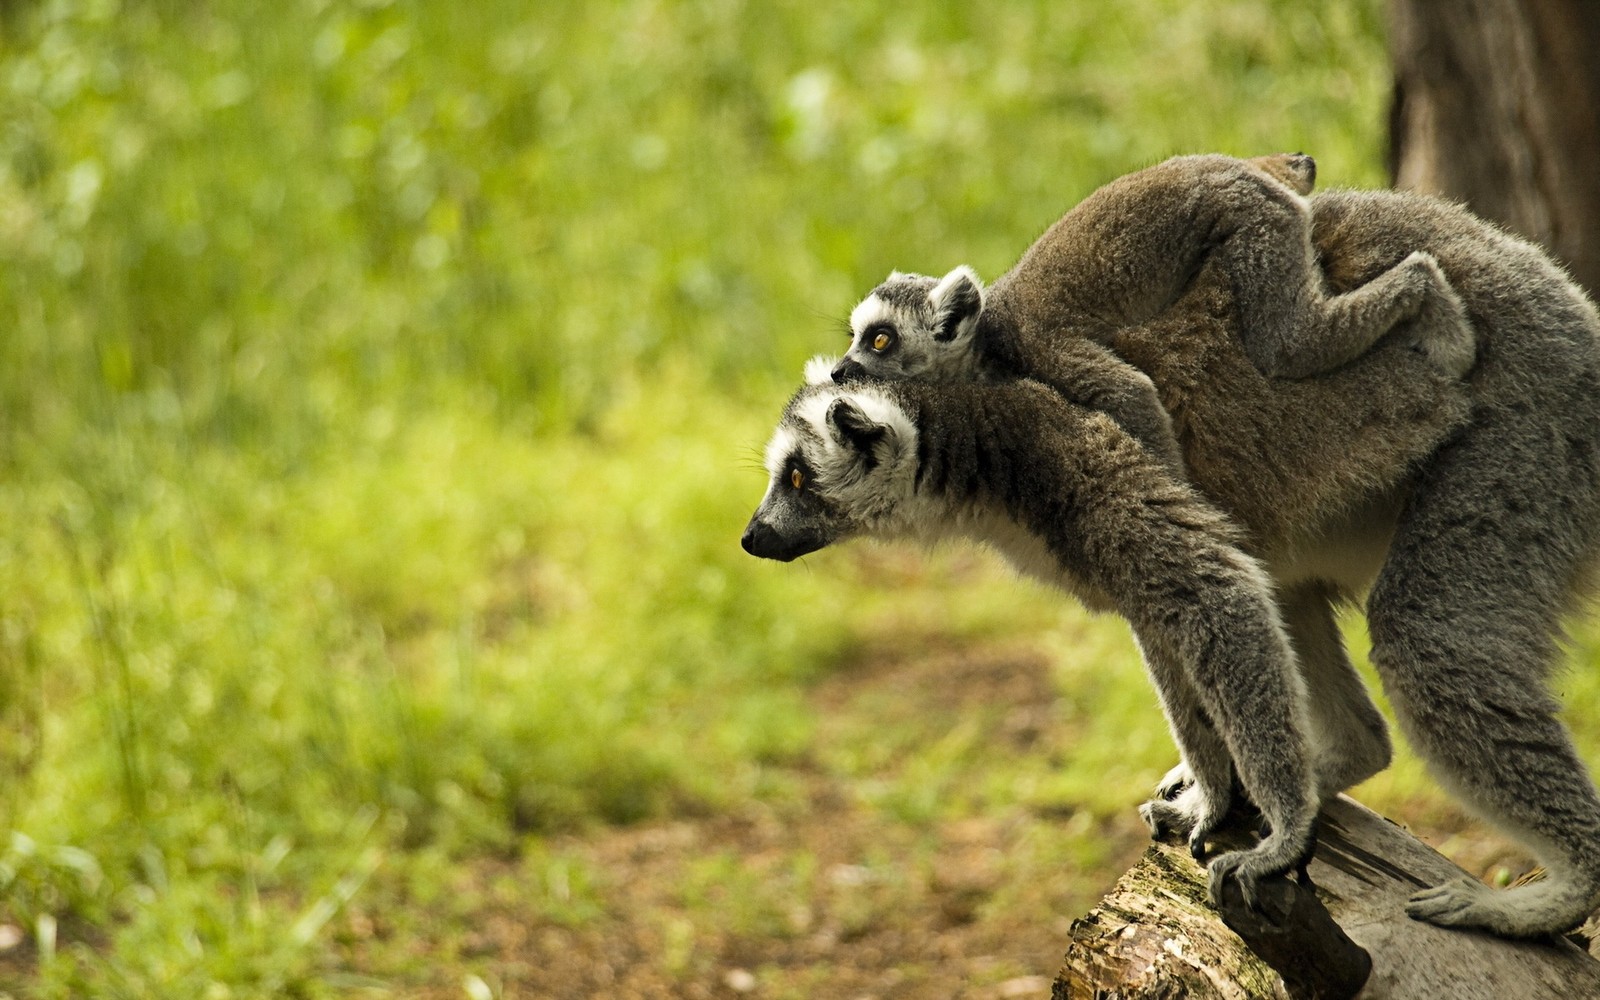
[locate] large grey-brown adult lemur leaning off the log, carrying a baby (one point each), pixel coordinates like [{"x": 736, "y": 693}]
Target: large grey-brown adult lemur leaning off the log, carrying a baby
[{"x": 1466, "y": 510}]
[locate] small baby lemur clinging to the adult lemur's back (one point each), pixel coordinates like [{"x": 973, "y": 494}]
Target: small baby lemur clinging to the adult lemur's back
[{"x": 1124, "y": 257}]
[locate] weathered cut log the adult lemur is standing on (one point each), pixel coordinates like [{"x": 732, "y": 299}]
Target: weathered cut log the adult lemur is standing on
[{"x": 1156, "y": 938}]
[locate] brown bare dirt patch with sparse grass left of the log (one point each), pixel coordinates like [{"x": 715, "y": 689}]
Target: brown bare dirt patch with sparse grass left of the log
[{"x": 826, "y": 889}]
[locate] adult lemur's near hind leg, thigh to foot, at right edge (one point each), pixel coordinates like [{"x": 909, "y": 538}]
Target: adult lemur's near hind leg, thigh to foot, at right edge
[{"x": 1466, "y": 626}]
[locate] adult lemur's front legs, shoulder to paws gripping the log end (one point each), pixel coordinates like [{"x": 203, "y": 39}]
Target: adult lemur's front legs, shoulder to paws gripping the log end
[{"x": 1206, "y": 617}]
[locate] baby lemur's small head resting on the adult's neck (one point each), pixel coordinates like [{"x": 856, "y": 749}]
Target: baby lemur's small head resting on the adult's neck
[{"x": 913, "y": 326}]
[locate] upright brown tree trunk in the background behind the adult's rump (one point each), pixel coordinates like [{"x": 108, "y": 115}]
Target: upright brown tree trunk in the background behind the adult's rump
[{"x": 1498, "y": 105}]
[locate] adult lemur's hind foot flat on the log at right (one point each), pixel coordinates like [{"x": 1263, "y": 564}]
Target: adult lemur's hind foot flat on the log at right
[{"x": 1526, "y": 911}]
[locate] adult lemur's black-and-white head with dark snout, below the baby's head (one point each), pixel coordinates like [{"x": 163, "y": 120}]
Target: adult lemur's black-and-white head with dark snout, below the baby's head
[{"x": 842, "y": 463}]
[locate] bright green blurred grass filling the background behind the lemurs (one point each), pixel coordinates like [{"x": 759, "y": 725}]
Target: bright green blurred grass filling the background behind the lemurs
[{"x": 380, "y": 396}]
